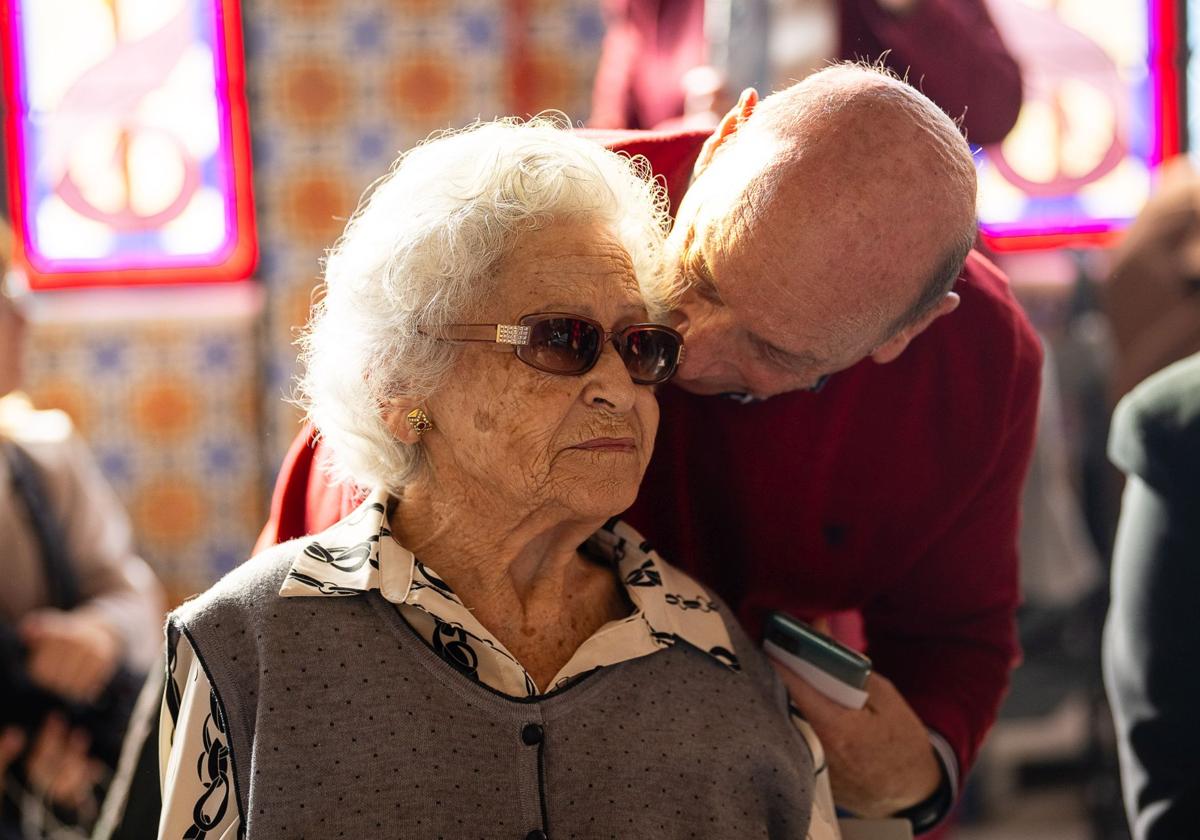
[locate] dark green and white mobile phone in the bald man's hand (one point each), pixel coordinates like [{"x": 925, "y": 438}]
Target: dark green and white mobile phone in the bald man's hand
[{"x": 826, "y": 664}]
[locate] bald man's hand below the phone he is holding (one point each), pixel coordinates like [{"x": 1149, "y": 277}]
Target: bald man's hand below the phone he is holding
[{"x": 880, "y": 757}]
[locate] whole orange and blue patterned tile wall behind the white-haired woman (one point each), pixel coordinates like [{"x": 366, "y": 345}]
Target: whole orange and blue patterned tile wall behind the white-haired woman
[{"x": 187, "y": 416}]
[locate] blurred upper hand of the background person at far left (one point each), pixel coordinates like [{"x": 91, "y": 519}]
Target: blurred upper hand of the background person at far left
[{"x": 73, "y": 655}]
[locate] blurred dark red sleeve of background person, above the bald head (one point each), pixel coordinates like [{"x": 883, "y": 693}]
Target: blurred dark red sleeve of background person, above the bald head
[{"x": 952, "y": 51}]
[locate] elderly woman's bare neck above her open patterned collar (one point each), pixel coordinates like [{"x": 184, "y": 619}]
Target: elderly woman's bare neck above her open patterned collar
[{"x": 520, "y": 573}]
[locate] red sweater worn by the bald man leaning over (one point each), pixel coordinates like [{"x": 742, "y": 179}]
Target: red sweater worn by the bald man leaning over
[{"x": 895, "y": 493}]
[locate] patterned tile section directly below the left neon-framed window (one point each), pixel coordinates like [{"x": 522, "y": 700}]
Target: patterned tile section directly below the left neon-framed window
[{"x": 172, "y": 410}]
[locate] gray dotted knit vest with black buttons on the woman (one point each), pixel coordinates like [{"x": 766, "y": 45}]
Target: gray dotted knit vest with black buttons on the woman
[{"x": 343, "y": 723}]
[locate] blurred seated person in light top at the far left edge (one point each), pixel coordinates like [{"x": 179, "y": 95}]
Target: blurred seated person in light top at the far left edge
[{"x": 81, "y": 615}]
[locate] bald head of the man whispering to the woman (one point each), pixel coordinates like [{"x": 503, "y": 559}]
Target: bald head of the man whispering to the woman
[{"x": 841, "y": 212}]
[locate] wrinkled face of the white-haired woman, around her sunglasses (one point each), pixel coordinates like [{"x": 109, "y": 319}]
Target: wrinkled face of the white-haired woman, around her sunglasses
[{"x": 532, "y": 440}]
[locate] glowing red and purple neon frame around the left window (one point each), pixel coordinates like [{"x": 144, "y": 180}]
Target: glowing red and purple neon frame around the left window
[{"x": 242, "y": 249}]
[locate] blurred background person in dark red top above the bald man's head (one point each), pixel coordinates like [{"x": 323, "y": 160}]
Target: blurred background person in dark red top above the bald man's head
[{"x": 667, "y": 64}]
